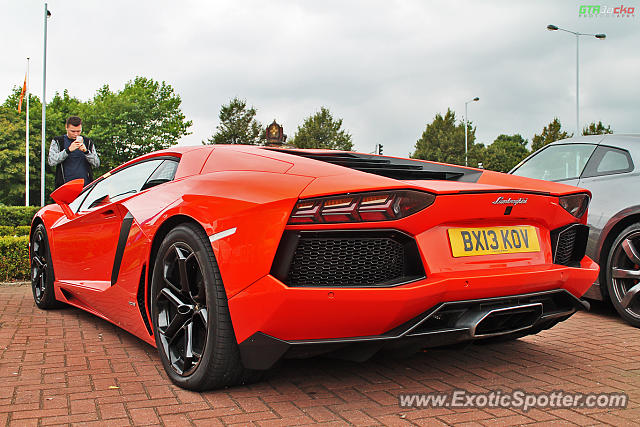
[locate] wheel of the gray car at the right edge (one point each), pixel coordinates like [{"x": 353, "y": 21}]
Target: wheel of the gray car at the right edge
[{"x": 623, "y": 274}]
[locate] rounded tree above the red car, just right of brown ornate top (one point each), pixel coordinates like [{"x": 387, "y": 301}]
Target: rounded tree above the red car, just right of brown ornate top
[{"x": 321, "y": 130}]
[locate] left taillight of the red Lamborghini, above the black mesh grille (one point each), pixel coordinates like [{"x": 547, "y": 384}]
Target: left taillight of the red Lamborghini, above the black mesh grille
[{"x": 375, "y": 206}]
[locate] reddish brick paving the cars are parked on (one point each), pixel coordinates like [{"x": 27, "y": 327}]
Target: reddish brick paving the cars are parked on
[{"x": 66, "y": 367}]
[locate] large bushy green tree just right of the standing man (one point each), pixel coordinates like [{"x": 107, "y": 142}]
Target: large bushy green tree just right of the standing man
[{"x": 143, "y": 117}]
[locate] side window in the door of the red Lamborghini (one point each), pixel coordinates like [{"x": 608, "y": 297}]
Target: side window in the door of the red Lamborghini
[{"x": 121, "y": 184}]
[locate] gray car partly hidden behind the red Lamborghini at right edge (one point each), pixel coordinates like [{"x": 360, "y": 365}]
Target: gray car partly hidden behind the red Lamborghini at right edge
[{"x": 609, "y": 167}]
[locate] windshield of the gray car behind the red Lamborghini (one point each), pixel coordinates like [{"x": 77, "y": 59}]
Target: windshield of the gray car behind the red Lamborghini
[{"x": 557, "y": 162}]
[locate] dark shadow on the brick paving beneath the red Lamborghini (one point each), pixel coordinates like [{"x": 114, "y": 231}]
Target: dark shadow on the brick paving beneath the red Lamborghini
[{"x": 511, "y": 364}]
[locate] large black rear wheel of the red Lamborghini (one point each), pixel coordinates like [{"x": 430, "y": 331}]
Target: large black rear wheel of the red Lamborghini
[{"x": 190, "y": 313}]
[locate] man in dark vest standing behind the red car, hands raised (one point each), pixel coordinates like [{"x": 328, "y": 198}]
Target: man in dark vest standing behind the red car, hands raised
[{"x": 73, "y": 155}]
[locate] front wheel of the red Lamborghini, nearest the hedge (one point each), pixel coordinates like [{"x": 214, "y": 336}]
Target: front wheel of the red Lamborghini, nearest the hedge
[{"x": 42, "y": 270}]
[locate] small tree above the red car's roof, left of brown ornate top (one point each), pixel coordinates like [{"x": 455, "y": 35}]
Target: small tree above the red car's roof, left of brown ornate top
[{"x": 238, "y": 125}]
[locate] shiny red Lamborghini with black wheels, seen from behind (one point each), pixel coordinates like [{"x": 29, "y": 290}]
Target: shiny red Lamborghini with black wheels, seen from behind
[{"x": 229, "y": 258}]
